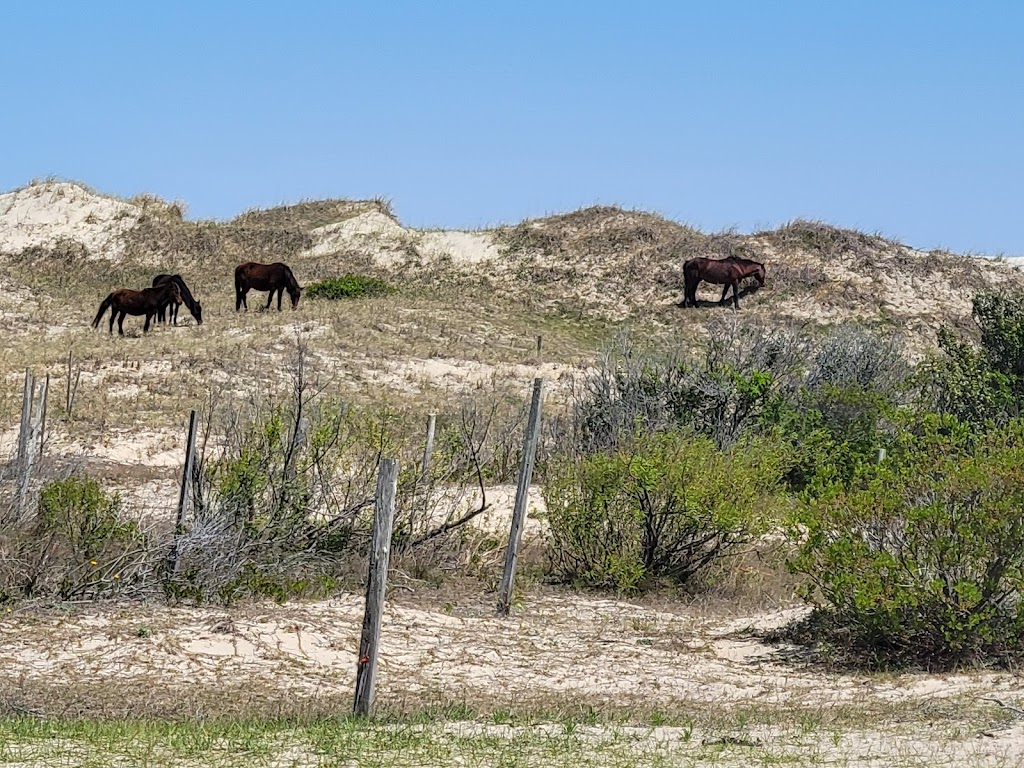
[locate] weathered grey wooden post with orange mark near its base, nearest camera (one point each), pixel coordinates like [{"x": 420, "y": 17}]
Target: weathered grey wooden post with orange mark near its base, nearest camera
[{"x": 366, "y": 671}]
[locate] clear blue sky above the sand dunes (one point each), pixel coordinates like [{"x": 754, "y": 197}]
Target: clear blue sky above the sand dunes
[{"x": 904, "y": 118}]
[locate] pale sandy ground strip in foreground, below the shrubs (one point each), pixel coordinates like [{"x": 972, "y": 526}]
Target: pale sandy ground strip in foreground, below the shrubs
[{"x": 556, "y": 651}]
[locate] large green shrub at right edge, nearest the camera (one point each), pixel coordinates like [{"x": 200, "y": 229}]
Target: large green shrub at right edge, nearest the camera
[{"x": 922, "y": 563}]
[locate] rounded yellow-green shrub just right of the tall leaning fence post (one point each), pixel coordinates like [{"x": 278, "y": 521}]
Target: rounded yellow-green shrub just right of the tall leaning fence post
[{"x": 663, "y": 508}]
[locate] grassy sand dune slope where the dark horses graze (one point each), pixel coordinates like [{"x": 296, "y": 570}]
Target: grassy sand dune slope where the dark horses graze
[{"x": 464, "y": 323}]
